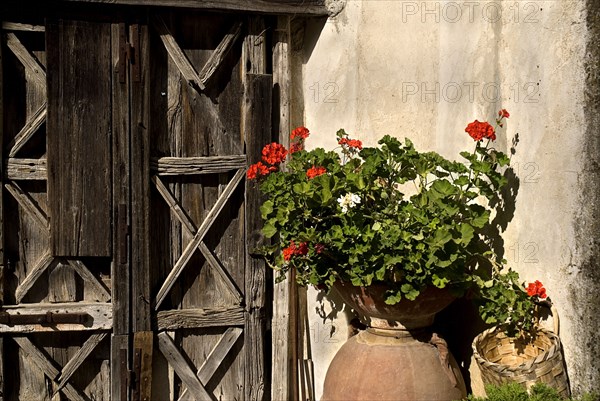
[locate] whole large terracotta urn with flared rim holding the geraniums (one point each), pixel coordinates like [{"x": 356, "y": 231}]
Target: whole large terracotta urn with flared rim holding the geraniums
[{"x": 397, "y": 358}]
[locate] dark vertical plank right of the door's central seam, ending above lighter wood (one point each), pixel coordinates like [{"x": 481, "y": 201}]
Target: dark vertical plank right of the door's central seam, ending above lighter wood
[{"x": 140, "y": 190}]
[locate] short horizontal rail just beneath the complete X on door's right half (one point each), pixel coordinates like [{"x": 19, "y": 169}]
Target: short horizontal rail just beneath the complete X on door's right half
[{"x": 191, "y": 318}]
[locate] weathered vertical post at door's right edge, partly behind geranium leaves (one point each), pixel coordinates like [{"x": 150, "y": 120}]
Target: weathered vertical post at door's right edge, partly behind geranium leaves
[{"x": 256, "y": 128}]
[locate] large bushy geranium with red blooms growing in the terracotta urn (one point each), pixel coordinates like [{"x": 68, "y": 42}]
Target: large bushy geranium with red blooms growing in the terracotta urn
[{"x": 386, "y": 214}]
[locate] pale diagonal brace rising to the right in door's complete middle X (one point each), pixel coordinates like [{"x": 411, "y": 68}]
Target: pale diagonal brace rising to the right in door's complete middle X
[{"x": 195, "y": 242}]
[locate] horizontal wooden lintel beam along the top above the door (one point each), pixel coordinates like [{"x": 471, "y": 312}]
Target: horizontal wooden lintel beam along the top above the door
[{"x": 296, "y": 7}]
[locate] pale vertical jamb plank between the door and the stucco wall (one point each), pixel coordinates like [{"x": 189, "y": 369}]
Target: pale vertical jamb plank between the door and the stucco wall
[{"x": 282, "y": 341}]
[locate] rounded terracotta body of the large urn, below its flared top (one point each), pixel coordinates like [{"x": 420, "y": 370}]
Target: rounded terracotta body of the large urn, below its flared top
[{"x": 394, "y": 365}]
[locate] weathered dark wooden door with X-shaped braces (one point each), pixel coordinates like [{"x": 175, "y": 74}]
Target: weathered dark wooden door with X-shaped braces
[{"x": 126, "y": 219}]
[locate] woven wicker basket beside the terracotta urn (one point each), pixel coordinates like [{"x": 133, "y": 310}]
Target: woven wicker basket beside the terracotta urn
[{"x": 503, "y": 359}]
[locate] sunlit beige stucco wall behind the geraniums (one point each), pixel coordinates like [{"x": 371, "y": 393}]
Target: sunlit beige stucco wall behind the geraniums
[{"x": 423, "y": 70}]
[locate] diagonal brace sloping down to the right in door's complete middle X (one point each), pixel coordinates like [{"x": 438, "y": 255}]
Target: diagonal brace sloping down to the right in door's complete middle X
[{"x": 190, "y": 227}]
